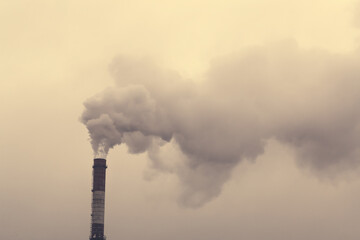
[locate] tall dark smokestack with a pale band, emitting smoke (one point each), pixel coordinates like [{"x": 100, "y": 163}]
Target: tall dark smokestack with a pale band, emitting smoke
[{"x": 98, "y": 200}]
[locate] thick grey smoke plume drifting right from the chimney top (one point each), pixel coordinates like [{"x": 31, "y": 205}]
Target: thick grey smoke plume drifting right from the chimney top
[{"x": 309, "y": 100}]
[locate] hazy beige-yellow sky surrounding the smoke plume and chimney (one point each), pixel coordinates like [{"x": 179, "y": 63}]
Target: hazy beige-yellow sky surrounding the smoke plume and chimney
[{"x": 56, "y": 54}]
